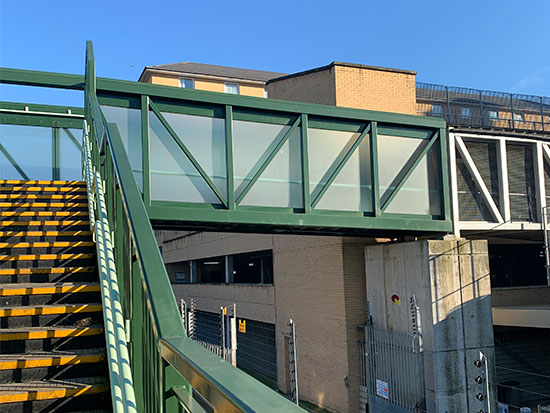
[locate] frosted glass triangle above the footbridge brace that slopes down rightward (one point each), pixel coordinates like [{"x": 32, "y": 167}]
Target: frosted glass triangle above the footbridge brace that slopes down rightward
[{"x": 205, "y": 138}]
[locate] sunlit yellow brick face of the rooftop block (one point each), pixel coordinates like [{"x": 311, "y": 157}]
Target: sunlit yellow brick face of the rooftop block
[{"x": 364, "y": 88}]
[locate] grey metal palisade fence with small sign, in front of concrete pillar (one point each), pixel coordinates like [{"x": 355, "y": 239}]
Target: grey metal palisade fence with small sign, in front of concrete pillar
[{"x": 392, "y": 370}]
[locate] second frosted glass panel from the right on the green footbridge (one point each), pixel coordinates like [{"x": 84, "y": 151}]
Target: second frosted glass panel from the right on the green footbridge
[{"x": 351, "y": 190}]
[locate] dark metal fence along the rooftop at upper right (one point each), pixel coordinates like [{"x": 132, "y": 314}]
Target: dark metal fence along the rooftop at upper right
[{"x": 483, "y": 108}]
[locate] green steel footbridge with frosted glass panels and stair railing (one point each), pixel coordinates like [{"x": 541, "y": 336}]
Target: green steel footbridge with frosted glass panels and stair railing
[{"x": 162, "y": 157}]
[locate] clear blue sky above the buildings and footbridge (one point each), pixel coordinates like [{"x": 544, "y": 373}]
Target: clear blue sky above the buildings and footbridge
[{"x": 494, "y": 45}]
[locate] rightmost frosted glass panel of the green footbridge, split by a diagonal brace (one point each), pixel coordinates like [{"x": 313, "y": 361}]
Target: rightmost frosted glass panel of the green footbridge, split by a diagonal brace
[{"x": 420, "y": 193}]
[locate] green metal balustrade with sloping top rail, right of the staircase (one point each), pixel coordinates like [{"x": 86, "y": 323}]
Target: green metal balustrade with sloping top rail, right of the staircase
[{"x": 170, "y": 371}]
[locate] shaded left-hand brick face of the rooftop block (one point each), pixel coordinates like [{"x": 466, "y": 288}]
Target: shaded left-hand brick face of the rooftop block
[{"x": 314, "y": 87}]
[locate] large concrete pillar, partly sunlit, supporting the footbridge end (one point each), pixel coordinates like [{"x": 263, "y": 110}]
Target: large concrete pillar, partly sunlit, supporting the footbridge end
[{"x": 450, "y": 280}]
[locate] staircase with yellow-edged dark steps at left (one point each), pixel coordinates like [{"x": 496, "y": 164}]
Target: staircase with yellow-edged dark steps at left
[{"x": 52, "y": 344}]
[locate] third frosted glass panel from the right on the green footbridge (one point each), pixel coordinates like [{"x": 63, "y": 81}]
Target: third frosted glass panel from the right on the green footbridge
[{"x": 281, "y": 183}]
